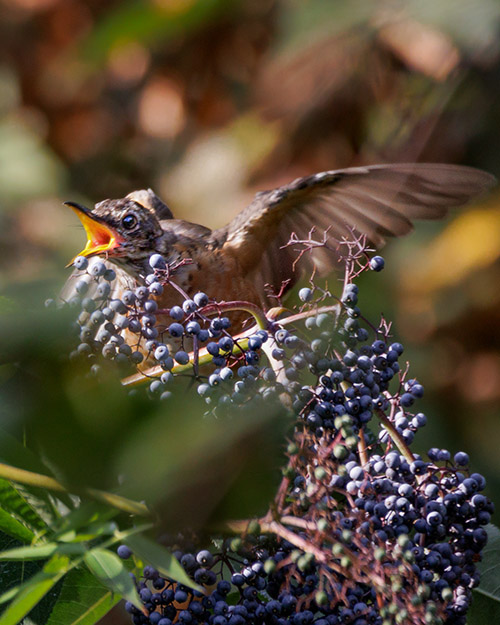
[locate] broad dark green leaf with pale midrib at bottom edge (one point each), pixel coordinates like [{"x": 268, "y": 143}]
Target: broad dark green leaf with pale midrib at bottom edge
[{"x": 83, "y": 600}]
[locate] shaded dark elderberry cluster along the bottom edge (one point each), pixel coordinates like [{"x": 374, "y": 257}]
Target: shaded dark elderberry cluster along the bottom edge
[{"x": 247, "y": 588}]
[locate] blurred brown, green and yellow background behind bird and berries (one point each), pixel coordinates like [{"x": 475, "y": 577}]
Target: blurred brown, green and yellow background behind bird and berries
[{"x": 208, "y": 101}]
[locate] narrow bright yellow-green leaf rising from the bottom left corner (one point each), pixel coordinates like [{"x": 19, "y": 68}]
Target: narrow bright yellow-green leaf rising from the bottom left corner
[{"x": 34, "y": 590}]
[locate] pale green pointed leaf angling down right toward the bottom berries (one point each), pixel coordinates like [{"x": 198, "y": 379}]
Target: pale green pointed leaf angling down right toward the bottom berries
[{"x": 110, "y": 571}]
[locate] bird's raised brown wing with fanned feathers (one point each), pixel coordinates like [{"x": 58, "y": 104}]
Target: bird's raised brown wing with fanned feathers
[{"x": 379, "y": 201}]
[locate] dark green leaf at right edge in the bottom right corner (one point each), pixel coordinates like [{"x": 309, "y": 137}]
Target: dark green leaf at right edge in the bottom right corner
[{"x": 485, "y": 606}]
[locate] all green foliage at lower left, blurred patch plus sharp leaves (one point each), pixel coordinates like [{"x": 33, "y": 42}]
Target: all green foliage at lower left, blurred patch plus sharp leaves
[{"x": 133, "y": 465}]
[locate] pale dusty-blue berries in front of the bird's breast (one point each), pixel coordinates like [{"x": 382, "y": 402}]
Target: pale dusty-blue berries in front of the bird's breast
[{"x": 128, "y": 327}]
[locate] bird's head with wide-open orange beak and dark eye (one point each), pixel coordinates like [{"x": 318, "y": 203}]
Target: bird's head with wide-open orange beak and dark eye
[{"x": 123, "y": 229}]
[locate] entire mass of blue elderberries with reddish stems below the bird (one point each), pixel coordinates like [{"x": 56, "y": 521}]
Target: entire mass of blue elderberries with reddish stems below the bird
[{"x": 362, "y": 530}]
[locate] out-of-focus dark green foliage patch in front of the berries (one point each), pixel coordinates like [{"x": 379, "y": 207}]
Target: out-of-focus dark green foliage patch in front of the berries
[{"x": 91, "y": 433}]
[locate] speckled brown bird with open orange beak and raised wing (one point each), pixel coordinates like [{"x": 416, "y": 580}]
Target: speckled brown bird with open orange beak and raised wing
[{"x": 249, "y": 259}]
